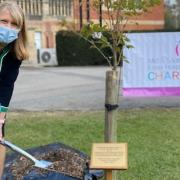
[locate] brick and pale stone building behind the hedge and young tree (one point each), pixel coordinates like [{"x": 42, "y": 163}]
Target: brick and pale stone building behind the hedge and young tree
[{"x": 45, "y": 17}]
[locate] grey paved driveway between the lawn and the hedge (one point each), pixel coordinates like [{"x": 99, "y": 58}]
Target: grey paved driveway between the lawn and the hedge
[{"x": 72, "y": 88}]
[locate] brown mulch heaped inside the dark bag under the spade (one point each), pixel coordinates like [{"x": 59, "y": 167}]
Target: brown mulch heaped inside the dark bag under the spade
[{"x": 65, "y": 160}]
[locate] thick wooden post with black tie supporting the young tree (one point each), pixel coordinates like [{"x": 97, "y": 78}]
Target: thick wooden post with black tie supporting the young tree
[{"x": 111, "y": 104}]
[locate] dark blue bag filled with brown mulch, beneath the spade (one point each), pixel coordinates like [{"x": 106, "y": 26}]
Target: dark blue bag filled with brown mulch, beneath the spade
[{"x": 67, "y": 161}]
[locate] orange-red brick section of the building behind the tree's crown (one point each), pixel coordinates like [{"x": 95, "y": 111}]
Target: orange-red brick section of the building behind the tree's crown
[{"x": 151, "y": 20}]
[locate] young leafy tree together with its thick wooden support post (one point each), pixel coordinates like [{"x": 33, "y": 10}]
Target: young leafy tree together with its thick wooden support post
[{"x": 110, "y": 39}]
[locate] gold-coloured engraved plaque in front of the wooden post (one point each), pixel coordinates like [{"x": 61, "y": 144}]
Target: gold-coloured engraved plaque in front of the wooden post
[{"x": 109, "y": 156}]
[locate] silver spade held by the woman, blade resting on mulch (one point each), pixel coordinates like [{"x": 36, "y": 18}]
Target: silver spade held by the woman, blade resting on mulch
[{"x": 37, "y": 163}]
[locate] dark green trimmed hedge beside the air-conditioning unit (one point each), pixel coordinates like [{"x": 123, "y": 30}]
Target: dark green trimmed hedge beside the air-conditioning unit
[{"x": 75, "y": 51}]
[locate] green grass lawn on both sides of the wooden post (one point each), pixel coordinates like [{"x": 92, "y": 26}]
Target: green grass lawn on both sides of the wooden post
[{"x": 153, "y": 137}]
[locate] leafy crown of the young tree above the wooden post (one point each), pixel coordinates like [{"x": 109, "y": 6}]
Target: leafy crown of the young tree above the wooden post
[{"x": 117, "y": 15}]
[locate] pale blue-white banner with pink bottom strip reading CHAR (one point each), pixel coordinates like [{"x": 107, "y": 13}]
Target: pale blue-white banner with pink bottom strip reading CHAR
[{"x": 154, "y": 62}]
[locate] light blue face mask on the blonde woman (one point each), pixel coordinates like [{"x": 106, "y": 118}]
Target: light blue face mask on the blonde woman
[{"x": 8, "y": 35}]
